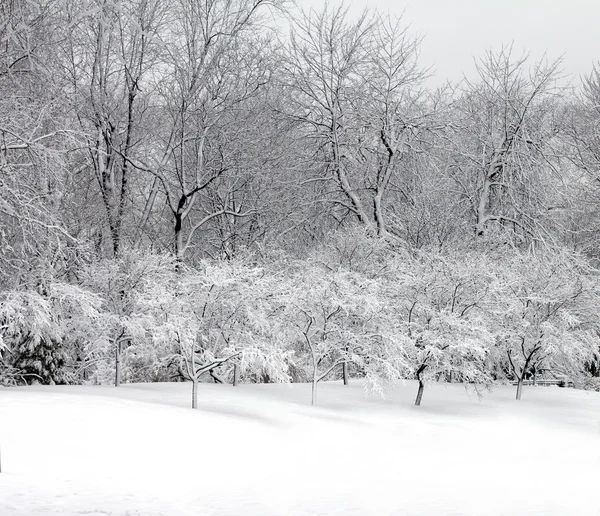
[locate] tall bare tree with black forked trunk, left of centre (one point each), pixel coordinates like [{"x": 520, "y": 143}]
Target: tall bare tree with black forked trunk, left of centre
[{"x": 211, "y": 73}]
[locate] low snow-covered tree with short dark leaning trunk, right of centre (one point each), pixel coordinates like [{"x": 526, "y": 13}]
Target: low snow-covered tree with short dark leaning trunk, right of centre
[{"x": 436, "y": 323}]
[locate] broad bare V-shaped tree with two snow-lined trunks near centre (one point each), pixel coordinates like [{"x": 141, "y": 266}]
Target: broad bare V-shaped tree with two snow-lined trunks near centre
[{"x": 353, "y": 91}]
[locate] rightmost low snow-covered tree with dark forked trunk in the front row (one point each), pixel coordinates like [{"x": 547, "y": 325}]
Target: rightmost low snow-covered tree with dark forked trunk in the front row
[{"x": 546, "y": 314}]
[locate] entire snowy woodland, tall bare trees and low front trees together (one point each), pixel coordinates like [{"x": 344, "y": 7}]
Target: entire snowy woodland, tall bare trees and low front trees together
[{"x": 251, "y": 191}]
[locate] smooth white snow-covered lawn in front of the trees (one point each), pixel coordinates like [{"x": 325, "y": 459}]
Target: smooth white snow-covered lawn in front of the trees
[{"x": 263, "y": 450}]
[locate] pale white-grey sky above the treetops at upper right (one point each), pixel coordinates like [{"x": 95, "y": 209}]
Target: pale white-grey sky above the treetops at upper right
[{"x": 456, "y": 30}]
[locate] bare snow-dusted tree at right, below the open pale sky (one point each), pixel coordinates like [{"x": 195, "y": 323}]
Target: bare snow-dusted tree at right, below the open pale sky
[{"x": 501, "y": 157}]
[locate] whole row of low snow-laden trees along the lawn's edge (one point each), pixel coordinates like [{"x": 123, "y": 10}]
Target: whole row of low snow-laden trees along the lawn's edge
[{"x": 379, "y": 314}]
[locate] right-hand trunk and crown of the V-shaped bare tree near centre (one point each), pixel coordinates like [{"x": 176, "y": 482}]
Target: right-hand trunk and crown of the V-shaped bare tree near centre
[{"x": 395, "y": 110}]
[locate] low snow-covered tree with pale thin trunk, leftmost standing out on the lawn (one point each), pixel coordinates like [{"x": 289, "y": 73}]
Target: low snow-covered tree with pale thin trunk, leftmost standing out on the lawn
[{"x": 207, "y": 317}]
